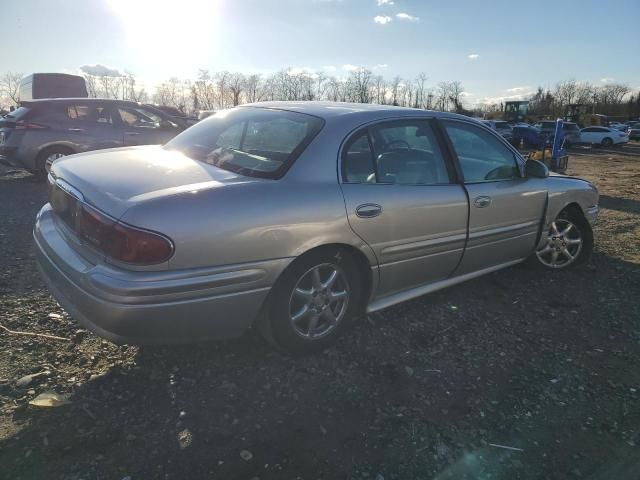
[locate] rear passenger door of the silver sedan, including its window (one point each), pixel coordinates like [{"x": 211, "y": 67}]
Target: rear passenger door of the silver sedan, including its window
[{"x": 401, "y": 200}]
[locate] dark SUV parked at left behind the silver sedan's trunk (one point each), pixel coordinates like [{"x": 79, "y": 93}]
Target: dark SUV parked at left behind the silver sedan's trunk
[{"x": 39, "y": 132}]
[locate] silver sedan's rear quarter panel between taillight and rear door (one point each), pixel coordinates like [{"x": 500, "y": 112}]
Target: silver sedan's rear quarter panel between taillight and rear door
[{"x": 248, "y": 222}]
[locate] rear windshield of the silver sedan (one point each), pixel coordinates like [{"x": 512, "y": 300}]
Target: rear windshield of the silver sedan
[{"x": 256, "y": 142}]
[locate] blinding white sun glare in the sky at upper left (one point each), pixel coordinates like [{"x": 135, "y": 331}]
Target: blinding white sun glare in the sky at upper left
[{"x": 180, "y": 34}]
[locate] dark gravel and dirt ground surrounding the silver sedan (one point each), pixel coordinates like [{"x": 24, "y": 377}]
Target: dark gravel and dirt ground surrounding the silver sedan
[{"x": 546, "y": 364}]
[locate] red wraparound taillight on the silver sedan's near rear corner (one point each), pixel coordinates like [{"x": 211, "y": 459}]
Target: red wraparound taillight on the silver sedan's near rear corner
[{"x": 120, "y": 241}]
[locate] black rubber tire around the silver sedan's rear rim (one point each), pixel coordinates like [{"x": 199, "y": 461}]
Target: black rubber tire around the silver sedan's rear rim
[{"x": 276, "y": 325}]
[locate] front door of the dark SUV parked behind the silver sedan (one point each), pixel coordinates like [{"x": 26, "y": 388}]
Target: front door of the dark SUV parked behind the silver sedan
[{"x": 146, "y": 127}]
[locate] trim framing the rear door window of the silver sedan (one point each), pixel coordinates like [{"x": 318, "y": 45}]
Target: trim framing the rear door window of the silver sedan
[{"x": 366, "y": 127}]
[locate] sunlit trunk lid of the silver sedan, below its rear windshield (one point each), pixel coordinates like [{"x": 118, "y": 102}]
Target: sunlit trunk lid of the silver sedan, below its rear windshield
[{"x": 114, "y": 180}]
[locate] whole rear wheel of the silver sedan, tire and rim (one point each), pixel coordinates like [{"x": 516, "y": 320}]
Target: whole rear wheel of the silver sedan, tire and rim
[{"x": 313, "y": 302}]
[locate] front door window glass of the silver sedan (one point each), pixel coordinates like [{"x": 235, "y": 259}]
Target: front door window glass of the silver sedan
[{"x": 482, "y": 156}]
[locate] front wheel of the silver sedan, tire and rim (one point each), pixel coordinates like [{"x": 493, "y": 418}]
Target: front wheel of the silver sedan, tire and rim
[{"x": 569, "y": 242}]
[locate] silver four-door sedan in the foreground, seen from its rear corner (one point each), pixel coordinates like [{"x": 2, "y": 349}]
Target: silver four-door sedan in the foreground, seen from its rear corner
[{"x": 296, "y": 217}]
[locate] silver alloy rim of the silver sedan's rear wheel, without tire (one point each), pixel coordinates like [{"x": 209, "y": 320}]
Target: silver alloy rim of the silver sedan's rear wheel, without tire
[{"x": 319, "y": 301}]
